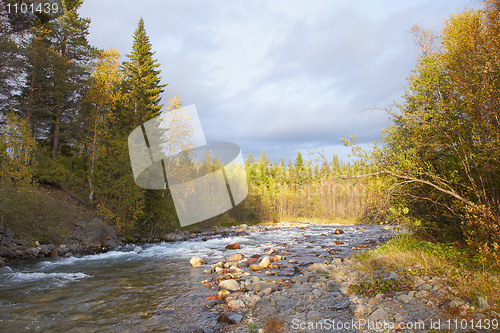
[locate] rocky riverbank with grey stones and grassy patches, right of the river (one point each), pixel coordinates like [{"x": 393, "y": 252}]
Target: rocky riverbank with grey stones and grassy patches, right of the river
[{"x": 366, "y": 292}]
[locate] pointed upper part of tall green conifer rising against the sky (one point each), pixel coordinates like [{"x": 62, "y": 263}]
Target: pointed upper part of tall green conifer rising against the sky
[{"x": 142, "y": 78}]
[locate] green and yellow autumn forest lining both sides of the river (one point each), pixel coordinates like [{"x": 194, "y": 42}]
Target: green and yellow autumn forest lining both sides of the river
[{"x": 67, "y": 108}]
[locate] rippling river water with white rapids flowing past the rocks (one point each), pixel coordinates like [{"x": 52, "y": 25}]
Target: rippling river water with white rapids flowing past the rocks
[{"x": 147, "y": 288}]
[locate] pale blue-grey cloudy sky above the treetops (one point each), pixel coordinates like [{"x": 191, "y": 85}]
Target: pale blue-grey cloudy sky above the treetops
[{"x": 278, "y": 75}]
